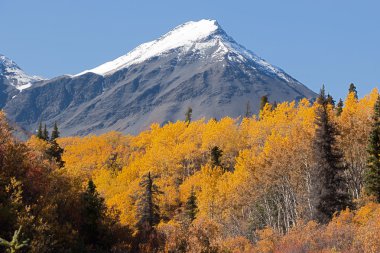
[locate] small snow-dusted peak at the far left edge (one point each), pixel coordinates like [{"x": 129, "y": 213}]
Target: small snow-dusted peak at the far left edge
[{"x": 15, "y": 75}]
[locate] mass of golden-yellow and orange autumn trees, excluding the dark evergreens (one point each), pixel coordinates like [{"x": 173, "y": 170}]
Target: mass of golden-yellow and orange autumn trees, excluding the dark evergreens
[{"x": 257, "y": 200}]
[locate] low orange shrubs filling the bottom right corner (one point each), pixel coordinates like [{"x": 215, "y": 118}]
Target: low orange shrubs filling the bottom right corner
[{"x": 349, "y": 231}]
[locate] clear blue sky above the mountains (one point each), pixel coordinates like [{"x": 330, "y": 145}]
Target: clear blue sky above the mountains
[{"x": 331, "y": 42}]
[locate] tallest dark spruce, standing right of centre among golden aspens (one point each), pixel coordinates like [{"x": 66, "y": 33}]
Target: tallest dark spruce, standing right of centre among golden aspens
[{"x": 329, "y": 191}]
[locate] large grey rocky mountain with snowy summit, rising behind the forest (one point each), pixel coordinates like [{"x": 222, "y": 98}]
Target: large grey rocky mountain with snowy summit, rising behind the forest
[{"x": 195, "y": 65}]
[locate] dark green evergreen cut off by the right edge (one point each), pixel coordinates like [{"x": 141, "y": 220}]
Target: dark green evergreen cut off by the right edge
[{"x": 372, "y": 175}]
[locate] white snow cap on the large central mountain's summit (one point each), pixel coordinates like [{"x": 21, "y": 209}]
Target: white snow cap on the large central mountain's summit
[{"x": 194, "y": 36}]
